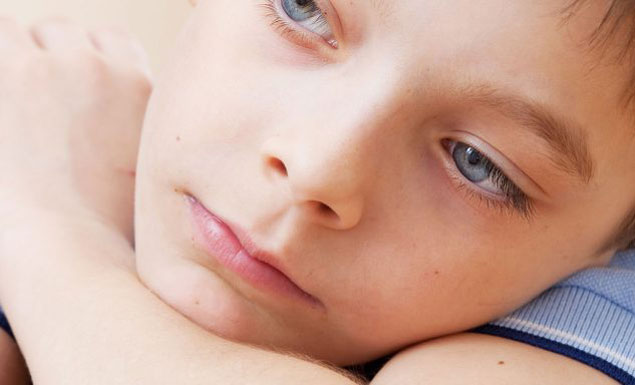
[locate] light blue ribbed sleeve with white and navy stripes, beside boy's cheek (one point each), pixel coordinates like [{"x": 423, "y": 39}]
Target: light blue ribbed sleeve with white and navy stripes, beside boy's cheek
[{"x": 589, "y": 317}]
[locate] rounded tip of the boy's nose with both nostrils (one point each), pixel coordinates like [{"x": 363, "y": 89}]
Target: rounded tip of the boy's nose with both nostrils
[{"x": 324, "y": 185}]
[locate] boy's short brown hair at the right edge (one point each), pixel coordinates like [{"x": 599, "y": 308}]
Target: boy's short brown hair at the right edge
[{"x": 616, "y": 30}]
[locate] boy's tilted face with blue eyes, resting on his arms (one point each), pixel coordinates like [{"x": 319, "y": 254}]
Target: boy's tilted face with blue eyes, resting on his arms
[{"x": 427, "y": 175}]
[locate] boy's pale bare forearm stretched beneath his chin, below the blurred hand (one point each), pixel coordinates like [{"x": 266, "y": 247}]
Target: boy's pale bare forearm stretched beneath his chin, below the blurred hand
[{"x": 83, "y": 319}]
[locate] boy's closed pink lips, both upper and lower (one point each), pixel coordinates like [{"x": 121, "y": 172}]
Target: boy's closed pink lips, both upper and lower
[{"x": 220, "y": 242}]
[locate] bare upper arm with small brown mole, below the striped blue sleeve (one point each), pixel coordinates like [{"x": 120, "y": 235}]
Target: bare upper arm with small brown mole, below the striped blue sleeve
[{"x": 481, "y": 359}]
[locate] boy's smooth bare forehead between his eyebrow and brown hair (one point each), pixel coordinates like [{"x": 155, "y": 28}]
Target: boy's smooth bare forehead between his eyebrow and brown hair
[{"x": 533, "y": 46}]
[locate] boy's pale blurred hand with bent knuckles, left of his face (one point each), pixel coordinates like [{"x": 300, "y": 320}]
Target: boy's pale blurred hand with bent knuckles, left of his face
[{"x": 71, "y": 109}]
